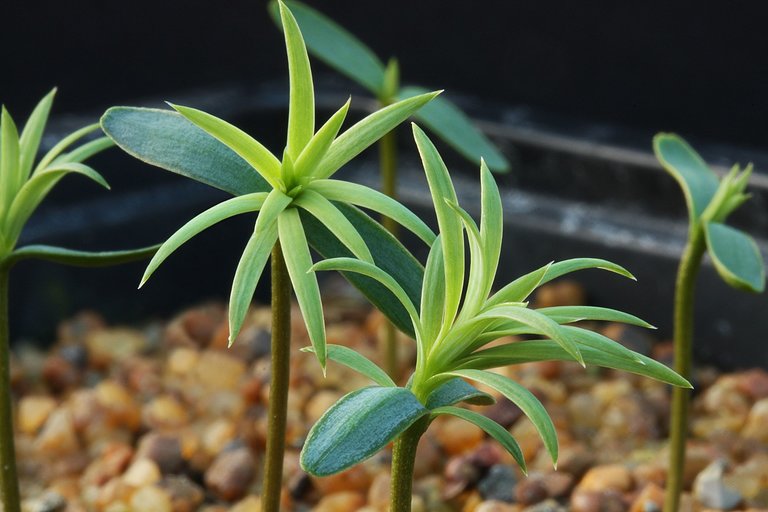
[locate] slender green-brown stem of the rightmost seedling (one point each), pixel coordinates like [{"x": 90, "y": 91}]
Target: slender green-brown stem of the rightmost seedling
[{"x": 690, "y": 263}]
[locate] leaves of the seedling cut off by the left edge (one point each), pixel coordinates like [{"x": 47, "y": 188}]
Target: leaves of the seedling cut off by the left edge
[{"x": 23, "y": 186}]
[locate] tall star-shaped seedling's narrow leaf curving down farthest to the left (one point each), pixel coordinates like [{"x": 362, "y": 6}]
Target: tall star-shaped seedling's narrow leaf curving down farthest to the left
[{"x": 214, "y": 215}]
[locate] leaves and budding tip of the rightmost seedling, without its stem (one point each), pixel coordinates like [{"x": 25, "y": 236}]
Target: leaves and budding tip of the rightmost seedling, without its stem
[{"x": 710, "y": 201}]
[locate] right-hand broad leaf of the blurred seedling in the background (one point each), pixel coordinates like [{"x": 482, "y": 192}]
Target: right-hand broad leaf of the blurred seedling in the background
[{"x": 454, "y": 127}]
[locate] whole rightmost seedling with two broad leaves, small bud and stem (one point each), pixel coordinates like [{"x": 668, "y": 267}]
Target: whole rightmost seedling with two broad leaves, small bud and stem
[{"x": 735, "y": 256}]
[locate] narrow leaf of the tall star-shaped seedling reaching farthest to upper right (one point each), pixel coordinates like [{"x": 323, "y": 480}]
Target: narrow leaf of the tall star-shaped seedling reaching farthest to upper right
[{"x": 367, "y": 131}]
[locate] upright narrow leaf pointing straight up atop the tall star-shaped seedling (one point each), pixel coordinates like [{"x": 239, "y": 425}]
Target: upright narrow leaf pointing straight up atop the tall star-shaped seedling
[{"x": 301, "y": 111}]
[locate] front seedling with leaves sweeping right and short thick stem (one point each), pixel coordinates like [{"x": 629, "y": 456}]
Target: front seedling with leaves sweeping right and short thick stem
[{"x": 452, "y": 329}]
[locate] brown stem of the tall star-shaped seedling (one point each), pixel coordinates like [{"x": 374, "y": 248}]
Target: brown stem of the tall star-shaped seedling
[{"x": 279, "y": 383}]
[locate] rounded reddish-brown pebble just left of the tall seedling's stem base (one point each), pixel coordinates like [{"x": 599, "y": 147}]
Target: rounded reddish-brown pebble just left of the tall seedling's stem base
[{"x": 231, "y": 474}]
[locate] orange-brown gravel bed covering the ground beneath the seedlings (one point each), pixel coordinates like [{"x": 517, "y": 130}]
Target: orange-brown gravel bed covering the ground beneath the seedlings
[{"x": 166, "y": 418}]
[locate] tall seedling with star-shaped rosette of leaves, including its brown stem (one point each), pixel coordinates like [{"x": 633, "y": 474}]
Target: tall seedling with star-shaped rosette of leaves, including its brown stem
[{"x": 298, "y": 204}]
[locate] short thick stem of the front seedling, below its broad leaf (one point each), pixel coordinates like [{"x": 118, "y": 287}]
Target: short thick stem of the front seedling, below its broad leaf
[{"x": 403, "y": 460}]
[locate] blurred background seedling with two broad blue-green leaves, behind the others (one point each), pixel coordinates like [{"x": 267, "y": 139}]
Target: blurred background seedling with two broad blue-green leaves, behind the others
[{"x": 342, "y": 51}]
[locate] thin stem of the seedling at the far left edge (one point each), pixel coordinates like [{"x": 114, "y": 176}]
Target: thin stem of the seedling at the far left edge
[{"x": 9, "y": 482}]
